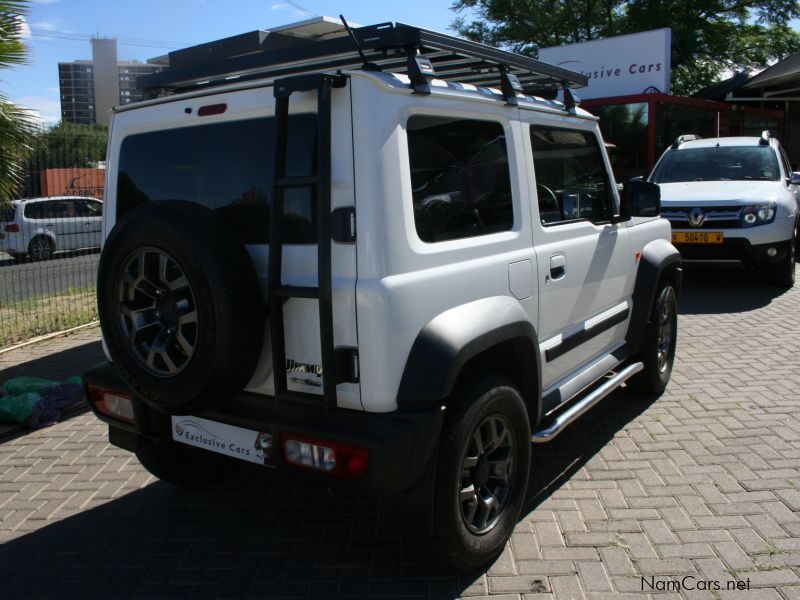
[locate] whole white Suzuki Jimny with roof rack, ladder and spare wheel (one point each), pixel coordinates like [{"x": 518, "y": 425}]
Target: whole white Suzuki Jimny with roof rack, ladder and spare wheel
[{"x": 372, "y": 258}]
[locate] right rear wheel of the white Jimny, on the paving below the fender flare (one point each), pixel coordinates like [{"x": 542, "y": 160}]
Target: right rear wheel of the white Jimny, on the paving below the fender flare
[{"x": 483, "y": 467}]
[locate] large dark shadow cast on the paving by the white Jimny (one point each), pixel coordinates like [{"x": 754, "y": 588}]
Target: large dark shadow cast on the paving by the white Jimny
[{"x": 261, "y": 535}]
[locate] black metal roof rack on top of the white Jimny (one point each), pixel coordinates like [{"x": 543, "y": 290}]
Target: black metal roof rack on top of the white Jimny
[{"x": 419, "y": 53}]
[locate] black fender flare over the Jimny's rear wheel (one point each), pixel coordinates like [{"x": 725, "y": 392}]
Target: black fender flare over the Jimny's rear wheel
[{"x": 452, "y": 338}]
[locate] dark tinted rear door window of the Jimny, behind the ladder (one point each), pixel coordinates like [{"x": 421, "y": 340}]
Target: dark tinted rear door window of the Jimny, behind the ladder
[{"x": 227, "y": 167}]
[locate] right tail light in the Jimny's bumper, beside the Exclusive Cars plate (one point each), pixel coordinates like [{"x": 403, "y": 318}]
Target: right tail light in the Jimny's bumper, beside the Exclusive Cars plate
[{"x": 338, "y": 460}]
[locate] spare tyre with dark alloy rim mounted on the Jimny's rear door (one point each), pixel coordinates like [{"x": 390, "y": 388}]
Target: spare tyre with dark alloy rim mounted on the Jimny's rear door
[{"x": 180, "y": 306}]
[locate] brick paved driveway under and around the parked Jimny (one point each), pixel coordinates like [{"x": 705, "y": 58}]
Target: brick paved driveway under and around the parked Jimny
[{"x": 703, "y": 482}]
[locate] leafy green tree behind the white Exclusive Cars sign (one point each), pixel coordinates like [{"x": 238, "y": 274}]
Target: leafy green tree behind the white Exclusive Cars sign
[{"x": 708, "y": 36}]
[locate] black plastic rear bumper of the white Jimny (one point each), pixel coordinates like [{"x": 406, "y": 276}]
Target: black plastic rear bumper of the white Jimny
[{"x": 401, "y": 444}]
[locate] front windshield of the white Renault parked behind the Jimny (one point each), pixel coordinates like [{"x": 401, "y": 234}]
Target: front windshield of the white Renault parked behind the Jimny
[{"x": 720, "y": 163}]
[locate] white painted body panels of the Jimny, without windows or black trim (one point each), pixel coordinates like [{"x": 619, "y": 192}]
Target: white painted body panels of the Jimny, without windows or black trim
[{"x": 385, "y": 293}]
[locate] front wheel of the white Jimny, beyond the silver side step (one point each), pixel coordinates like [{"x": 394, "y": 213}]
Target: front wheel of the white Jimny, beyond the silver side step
[{"x": 658, "y": 352}]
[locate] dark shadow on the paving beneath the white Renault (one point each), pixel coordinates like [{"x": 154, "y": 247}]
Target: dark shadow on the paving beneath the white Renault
[{"x": 711, "y": 290}]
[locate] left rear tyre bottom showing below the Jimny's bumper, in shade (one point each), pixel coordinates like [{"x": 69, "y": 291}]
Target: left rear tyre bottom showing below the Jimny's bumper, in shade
[{"x": 184, "y": 466}]
